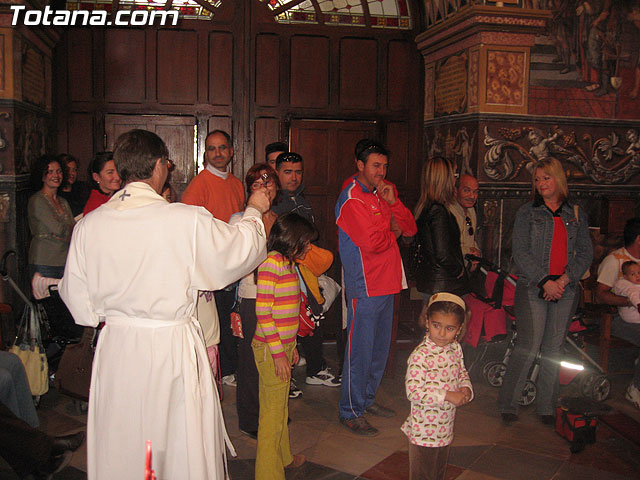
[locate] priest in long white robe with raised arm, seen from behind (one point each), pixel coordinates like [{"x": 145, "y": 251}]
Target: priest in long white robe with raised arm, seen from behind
[{"x": 137, "y": 263}]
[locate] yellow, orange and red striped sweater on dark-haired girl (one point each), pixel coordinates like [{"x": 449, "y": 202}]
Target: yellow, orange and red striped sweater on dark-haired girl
[{"x": 277, "y": 303}]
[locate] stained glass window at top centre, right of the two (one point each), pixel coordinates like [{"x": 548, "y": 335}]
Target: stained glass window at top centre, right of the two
[{"x": 383, "y": 13}]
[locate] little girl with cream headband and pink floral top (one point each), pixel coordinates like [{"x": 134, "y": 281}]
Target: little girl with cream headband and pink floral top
[{"x": 436, "y": 383}]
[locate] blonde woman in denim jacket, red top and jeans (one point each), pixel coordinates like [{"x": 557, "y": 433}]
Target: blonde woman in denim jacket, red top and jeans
[{"x": 552, "y": 250}]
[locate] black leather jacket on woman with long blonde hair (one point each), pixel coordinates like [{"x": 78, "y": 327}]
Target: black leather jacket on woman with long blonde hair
[{"x": 441, "y": 257}]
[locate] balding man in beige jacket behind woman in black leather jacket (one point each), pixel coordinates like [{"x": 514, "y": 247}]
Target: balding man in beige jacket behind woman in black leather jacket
[{"x": 464, "y": 212}]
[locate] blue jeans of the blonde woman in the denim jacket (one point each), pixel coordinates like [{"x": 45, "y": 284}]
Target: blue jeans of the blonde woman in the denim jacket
[{"x": 542, "y": 326}]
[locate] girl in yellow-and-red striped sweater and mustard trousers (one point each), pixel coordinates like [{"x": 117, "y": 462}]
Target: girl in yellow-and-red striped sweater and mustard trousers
[{"x": 274, "y": 343}]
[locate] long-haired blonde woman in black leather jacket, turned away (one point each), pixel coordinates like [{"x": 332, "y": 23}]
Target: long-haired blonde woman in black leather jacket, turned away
[{"x": 440, "y": 262}]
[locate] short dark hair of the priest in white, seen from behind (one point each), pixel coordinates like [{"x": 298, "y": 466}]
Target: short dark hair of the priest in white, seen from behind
[{"x": 136, "y": 152}]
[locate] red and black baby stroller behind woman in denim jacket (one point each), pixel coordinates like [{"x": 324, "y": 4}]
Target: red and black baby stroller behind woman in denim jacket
[{"x": 592, "y": 382}]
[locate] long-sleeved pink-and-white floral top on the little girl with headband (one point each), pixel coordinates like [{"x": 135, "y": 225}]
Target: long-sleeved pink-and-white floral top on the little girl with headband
[{"x": 431, "y": 372}]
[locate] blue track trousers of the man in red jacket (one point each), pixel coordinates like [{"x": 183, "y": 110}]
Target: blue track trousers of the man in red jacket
[{"x": 369, "y": 325}]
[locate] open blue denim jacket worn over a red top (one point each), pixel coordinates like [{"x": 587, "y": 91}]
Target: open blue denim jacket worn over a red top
[{"x": 532, "y": 237}]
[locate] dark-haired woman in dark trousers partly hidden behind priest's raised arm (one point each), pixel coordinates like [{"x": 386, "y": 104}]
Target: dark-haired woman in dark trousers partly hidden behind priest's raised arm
[{"x": 247, "y": 401}]
